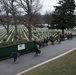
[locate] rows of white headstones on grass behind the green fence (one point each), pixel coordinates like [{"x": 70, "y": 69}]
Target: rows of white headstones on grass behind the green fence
[{"x": 23, "y": 32}]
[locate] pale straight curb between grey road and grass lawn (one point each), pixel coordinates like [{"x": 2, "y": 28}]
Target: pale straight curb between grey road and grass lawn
[{"x": 46, "y": 61}]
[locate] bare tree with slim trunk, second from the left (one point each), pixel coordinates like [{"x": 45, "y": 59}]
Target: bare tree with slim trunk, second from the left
[{"x": 11, "y": 8}]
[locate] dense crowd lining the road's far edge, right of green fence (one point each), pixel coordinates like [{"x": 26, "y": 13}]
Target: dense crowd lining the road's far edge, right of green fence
[{"x": 58, "y": 37}]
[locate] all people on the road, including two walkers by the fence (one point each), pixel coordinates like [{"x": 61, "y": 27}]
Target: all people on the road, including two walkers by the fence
[{"x": 56, "y": 38}]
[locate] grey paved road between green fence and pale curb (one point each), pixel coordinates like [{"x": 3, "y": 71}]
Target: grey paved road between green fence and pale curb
[{"x": 7, "y": 67}]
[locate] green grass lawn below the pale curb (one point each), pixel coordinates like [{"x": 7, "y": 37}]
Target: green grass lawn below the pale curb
[{"x": 65, "y": 65}]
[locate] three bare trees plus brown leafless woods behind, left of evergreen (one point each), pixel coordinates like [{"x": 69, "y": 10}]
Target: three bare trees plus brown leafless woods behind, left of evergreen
[{"x": 14, "y": 12}]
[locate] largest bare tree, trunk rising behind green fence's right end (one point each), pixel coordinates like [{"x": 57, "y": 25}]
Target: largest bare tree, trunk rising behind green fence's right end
[{"x": 30, "y": 7}]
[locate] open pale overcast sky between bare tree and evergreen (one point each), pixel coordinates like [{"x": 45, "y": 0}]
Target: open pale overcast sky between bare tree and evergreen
[{"x": 48, "y": 5}]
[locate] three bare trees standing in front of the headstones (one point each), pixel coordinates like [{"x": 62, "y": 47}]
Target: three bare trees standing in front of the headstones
[{"x": 15, "y": 8}]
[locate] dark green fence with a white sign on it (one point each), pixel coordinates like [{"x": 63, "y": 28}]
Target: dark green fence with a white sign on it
[{"x": 5, "y": 52}]
